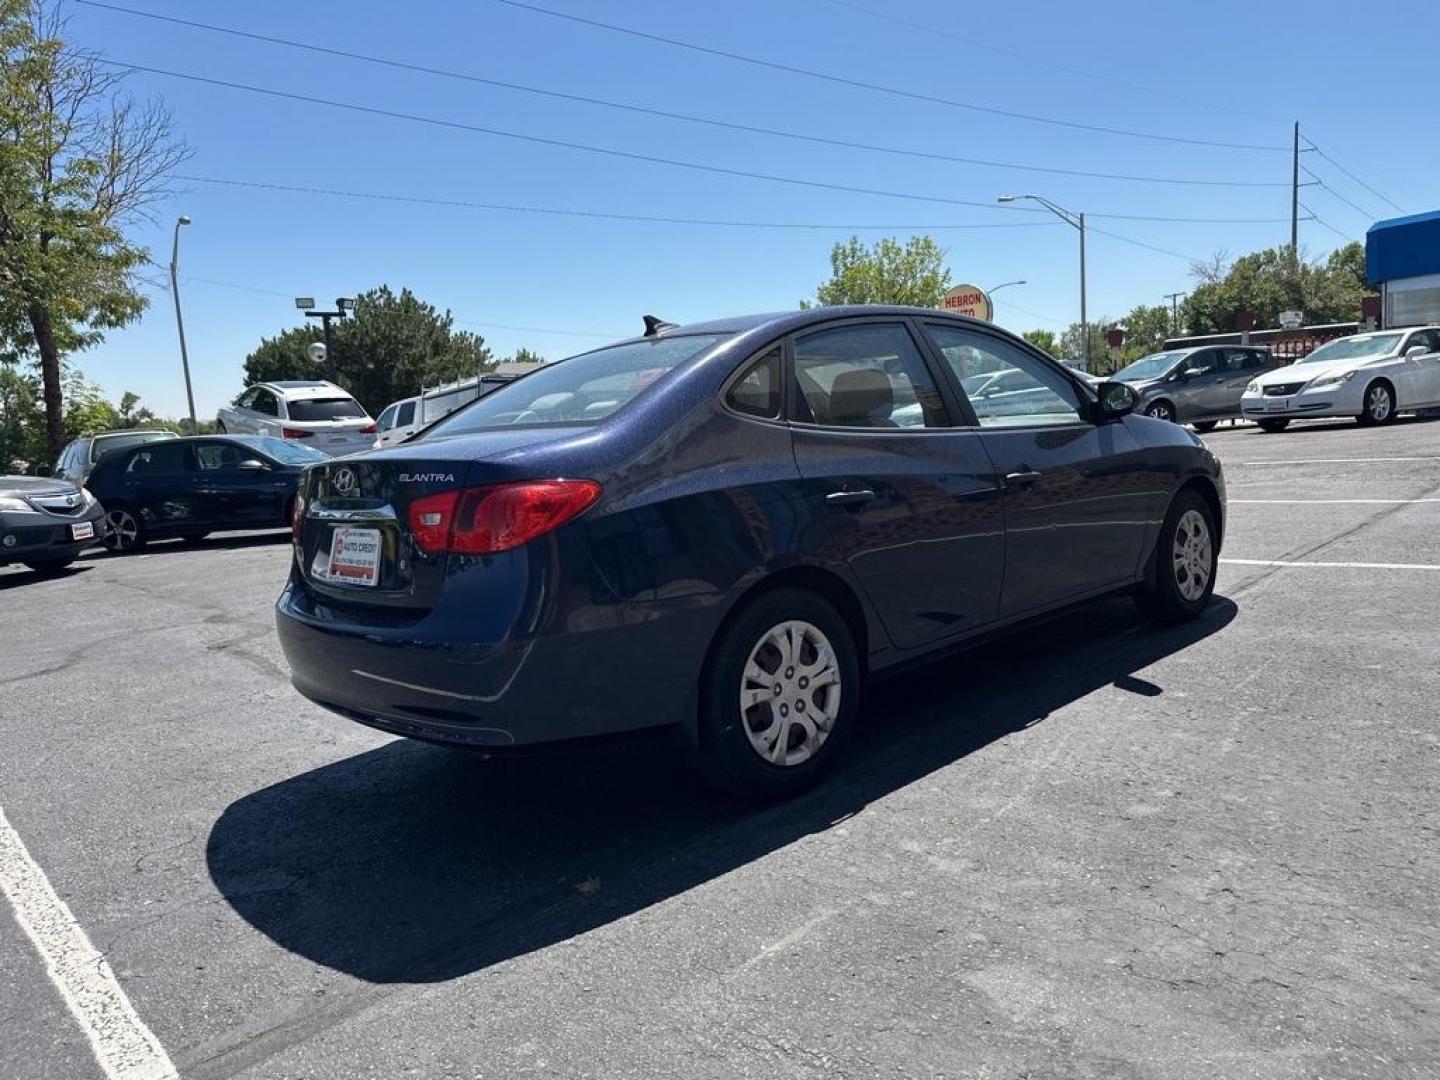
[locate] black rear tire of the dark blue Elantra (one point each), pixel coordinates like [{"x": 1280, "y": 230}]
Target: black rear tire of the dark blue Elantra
[{"x": 728, "y": 750}]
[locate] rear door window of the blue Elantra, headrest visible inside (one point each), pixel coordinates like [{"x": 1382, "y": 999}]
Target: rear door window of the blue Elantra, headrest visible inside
[{"x": 866, "y": 377}]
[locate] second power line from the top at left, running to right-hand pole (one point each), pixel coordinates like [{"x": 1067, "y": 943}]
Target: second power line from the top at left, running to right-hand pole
[{"x": 634, "y": 156}]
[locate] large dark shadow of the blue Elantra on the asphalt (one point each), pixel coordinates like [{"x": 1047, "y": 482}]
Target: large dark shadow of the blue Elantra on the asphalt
[{"x": 413, "y": 863}]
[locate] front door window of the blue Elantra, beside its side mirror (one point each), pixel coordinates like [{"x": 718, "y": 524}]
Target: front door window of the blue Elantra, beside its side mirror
[{"x": 1026, "y": 391}]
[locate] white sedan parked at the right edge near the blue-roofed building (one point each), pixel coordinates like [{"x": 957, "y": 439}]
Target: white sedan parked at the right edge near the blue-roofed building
[{"x": 1369, "y": 377}]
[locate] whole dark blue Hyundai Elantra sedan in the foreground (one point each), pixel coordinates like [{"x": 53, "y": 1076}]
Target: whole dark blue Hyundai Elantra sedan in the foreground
[{"x": 726, "y": 528}]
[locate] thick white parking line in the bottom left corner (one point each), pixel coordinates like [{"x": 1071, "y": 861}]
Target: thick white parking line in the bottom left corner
[{"x": 125, "y": 1048}]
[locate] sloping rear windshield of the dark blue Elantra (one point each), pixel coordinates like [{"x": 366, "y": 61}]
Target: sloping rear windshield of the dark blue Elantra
[{"x": 584, "y": 390}]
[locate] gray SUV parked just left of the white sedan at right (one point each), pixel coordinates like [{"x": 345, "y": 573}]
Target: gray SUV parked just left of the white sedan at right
[{"x": 1199, "y": 387}]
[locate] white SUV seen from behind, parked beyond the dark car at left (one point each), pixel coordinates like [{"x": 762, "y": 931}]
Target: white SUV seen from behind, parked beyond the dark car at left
[{"x": 320, "y": 415}]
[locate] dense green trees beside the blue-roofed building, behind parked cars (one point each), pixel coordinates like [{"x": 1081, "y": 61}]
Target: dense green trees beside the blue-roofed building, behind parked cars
[{"x": 1271, "y": 282}]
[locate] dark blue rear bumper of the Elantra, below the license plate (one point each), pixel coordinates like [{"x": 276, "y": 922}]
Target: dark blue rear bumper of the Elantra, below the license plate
[{"x": 627, "y": 670}]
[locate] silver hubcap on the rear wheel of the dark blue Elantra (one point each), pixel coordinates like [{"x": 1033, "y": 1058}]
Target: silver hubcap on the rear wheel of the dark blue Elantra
[{"x": 790, "y": 693}]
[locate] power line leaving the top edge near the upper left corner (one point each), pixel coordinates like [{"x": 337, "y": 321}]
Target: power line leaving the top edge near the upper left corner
[{"x": 667, "y": 114}]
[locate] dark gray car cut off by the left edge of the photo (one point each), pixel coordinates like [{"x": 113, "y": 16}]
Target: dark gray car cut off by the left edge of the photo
[{"x": 45, "y": 523}]
